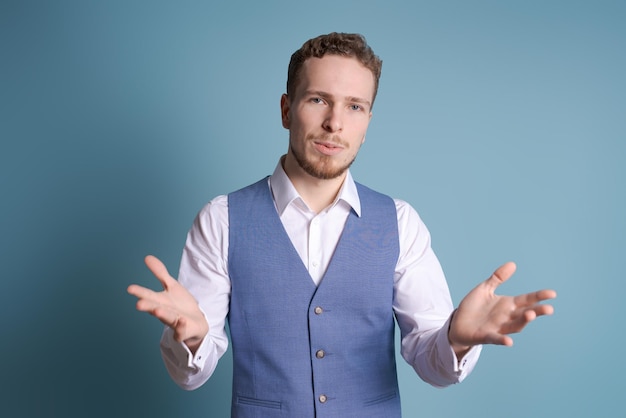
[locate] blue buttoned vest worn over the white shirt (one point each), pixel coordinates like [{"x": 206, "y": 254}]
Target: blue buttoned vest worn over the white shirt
[{"x": 305, "y": 351}]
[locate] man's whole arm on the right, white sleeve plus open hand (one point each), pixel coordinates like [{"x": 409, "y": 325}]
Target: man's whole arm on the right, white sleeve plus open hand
[{"x": 443, "y": 345}]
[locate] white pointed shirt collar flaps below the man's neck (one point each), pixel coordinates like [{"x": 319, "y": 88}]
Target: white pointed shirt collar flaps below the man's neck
[{"x": 285, "y": 193}]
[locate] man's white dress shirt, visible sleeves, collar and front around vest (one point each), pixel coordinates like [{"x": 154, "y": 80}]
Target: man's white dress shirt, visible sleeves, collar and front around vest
[{"x": 422, "y": 302}]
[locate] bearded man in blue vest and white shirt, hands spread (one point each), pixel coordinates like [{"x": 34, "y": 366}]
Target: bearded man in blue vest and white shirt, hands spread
[{"x": 310, "y": 269}]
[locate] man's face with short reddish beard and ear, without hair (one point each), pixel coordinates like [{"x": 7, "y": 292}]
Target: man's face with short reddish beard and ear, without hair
[{"x": 328, "y": 115}]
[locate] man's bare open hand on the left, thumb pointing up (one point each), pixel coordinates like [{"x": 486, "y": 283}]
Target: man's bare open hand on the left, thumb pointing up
[{"x": 174, "y": 306}]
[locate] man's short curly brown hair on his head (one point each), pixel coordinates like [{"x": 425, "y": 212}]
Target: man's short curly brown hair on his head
[{"x": 351, "y": 45}]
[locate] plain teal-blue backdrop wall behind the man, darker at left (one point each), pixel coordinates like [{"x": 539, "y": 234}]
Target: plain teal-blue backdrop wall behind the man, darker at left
[{"x": 503, "y": 123}]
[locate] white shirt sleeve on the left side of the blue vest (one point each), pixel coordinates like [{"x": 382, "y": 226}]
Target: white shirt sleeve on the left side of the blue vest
[{"x": 204, "y": 273}]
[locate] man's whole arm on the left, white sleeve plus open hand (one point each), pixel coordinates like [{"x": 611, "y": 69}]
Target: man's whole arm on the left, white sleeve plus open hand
[{"x": 203, "y": 288}]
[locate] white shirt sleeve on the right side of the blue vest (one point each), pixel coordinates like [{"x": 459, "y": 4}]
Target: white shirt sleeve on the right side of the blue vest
[{"x": 423, "y": 306}]
